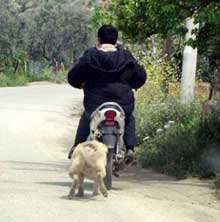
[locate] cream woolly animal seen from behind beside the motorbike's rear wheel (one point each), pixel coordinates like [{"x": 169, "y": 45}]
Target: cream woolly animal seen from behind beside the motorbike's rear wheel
[{"x": 88, "y": 160}]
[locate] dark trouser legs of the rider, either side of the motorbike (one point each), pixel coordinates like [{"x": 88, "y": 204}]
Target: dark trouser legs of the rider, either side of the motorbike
[{"x": 129, "y": 136}]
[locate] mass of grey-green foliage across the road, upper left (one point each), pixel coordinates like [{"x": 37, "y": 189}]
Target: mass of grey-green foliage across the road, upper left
[{"x": 39, "y": 31}]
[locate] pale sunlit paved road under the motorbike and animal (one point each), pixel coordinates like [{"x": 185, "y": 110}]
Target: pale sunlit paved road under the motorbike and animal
[{"x": 37, "y": 125}]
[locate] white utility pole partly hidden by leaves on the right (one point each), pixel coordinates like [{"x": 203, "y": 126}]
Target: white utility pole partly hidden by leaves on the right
[{"x": 189, "y": 65}]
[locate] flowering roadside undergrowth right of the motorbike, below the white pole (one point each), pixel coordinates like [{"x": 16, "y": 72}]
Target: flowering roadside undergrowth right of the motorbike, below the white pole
[{"x": 176, "y": 139}]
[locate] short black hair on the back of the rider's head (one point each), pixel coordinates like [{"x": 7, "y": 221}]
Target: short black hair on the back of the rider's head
[{"x": 107, "y": 34}]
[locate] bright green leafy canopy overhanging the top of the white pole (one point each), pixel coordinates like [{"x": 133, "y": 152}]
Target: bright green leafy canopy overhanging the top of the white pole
[{"x": 138, "y": 20}]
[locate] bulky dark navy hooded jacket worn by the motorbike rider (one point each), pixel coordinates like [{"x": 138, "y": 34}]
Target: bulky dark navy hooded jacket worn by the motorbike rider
[{"x": 107, "y": 77}]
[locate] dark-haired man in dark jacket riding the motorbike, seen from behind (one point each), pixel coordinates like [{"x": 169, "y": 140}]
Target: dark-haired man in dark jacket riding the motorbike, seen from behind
[{"x": 107, "y": 73}]
